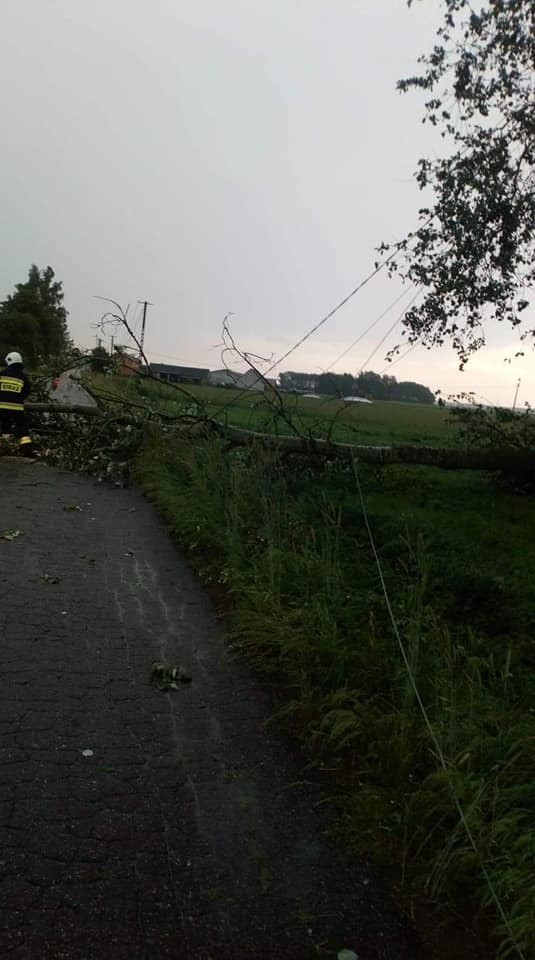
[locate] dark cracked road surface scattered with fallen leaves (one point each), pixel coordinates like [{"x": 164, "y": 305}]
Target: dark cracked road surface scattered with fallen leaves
[{"x": 135, "y": 823}]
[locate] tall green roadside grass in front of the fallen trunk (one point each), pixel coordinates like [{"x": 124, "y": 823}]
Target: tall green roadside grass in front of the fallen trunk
[{"x": 287, "y": 540}]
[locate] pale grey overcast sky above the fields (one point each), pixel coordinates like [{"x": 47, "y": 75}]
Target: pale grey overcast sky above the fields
[{"x": 224, "y": 155}]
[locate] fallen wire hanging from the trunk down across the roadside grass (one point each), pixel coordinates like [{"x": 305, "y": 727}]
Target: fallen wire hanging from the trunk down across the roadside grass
[{"x": 434, "y": 738}]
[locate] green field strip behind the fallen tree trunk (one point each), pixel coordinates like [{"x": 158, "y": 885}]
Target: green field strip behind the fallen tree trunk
[{"x": 379, "y": 423}]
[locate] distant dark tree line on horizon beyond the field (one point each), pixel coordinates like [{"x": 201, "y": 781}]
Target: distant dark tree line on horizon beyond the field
[{"x": 369, "y": 385}]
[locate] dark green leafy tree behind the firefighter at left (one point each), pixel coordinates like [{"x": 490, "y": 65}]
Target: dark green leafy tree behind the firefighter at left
[{"x": 33, "y": 319}]
